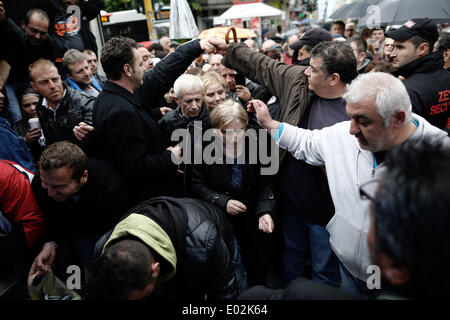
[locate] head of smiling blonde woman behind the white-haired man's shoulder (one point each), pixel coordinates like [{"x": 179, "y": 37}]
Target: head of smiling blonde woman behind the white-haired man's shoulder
[{"x": 214, "y": 89}]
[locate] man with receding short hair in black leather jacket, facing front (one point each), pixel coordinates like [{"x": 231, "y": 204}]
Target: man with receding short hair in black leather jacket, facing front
[{"x": 64, "y": 113}]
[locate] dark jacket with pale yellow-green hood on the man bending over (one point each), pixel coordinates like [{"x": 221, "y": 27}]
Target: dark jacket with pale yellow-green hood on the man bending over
[{"x": 191, "y": 237}]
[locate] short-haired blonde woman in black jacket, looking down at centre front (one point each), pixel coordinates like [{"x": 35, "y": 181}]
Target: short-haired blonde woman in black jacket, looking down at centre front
[{"x": 237, "y": 187}]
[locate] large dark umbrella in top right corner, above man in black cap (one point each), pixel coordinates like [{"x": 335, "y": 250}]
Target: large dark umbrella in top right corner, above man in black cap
[{"x": 390, "y": 12}]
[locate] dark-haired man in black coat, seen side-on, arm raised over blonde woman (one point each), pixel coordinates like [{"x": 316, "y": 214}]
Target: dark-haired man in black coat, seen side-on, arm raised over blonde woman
[{"x": 127, "y": 135}]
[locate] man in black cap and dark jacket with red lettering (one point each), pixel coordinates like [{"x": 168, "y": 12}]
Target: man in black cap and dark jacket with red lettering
[{"x": 427, "y": 83}]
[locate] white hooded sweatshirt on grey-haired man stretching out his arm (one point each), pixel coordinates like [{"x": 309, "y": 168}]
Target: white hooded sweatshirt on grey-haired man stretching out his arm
[{"x": 348, "y": 166}]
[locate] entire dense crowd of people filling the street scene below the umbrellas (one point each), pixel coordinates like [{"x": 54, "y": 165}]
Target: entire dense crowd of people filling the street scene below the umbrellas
[{"x": 212, "y": 171}]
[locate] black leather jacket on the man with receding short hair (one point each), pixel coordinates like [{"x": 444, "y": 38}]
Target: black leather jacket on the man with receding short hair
[{"x": 74, "y": 108}]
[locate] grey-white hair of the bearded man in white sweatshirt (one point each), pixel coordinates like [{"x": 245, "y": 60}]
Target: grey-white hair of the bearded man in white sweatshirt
[{"x": 389, "y": 92}]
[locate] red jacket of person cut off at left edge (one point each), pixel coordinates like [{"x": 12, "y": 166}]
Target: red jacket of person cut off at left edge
[{"x": 21, "y": 219}]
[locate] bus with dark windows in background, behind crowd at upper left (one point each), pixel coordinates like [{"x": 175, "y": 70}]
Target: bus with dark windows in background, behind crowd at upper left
[{"x": 133, "y": 24}]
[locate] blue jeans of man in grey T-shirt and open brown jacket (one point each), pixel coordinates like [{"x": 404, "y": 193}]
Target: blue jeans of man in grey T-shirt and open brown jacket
[{"x": 298, "y": 234}]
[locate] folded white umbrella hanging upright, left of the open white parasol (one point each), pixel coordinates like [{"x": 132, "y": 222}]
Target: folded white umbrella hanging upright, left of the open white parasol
[{"x": 182, "y": 23}]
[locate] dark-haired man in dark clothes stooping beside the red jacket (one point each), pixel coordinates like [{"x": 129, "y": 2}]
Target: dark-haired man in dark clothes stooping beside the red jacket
[{"x": 81, "y": 198}]
